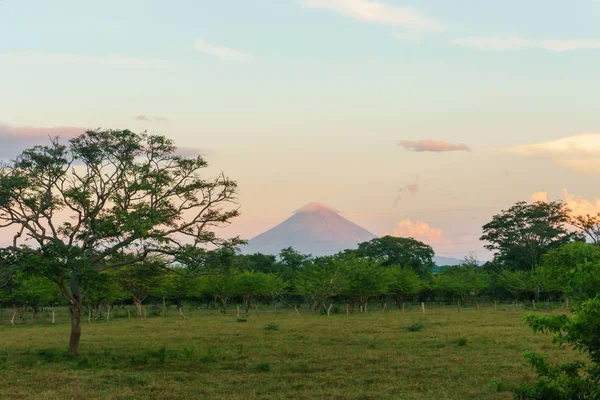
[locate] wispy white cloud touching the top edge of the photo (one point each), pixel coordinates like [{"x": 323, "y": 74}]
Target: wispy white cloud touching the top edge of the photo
[{"x": 380, "y": 13}]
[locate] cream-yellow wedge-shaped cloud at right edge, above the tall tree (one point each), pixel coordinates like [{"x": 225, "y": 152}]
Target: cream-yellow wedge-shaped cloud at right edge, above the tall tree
[{"x": 579, "y": 153}]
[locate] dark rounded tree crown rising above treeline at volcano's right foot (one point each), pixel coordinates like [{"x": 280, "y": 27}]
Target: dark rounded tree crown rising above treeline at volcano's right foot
[{"x": 397, "y": 251}]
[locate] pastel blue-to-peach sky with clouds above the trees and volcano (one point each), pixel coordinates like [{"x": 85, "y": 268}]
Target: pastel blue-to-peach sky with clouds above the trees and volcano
[{"x": 418, "y": 118}]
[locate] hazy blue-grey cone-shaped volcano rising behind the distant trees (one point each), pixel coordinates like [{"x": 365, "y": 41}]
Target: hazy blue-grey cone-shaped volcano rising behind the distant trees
[{"x": 313, "y": 229}]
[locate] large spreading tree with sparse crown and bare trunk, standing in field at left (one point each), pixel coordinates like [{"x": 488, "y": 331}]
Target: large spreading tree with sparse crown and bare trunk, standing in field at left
[{"x": 106, "y": 199}]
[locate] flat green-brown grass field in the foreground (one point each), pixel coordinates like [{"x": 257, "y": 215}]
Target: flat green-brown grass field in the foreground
[{"x": 274, "y": 356}]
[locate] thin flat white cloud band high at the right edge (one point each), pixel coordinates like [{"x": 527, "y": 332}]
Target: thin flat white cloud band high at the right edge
[{"x": 514, "y": 43}]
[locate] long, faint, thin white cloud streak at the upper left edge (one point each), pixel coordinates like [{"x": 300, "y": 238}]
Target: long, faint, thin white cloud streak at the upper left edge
[{"x": 39, "y": 58}]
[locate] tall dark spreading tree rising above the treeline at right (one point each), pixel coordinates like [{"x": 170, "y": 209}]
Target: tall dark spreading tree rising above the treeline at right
[{"x": 521, "y": 235}]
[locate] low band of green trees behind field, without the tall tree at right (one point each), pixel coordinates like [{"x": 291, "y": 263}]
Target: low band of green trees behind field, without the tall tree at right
[{"x": 385, "y": 270}]
